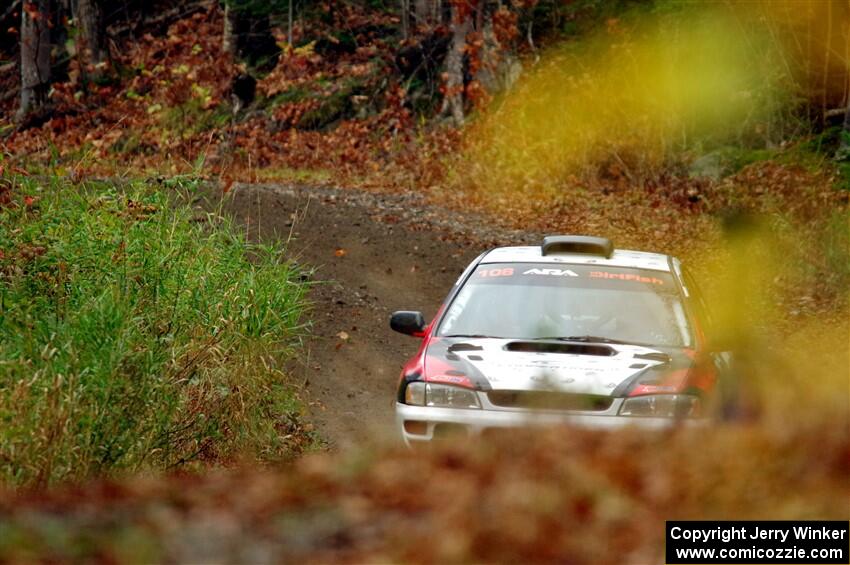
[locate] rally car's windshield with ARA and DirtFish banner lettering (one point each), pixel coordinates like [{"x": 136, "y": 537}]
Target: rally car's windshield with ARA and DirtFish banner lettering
[{"x": 533, "y": 301}]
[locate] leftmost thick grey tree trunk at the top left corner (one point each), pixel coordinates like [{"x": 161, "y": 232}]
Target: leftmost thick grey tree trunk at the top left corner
[{"x": 35, "y": 56}]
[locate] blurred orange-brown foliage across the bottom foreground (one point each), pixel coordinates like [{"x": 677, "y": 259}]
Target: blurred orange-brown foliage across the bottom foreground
[{"x": 561, "y": 496}]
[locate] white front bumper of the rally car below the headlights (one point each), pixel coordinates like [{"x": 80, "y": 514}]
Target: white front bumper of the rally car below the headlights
[{"x": 424, "y": 423}]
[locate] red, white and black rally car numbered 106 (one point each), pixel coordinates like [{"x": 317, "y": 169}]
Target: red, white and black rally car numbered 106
[{"x": 571, "y": 331}]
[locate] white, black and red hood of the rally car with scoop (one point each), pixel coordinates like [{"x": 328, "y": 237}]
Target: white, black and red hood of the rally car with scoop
[{"x": 580, "y": 368}]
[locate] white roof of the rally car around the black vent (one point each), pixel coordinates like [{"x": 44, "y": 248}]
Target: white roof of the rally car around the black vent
[{"x": 620, "y": 258}]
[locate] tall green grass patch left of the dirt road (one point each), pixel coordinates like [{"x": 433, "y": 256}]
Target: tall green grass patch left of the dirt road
[{"x": 134, "y": 335}]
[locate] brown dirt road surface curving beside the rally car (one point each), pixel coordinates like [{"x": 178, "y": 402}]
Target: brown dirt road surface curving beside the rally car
[{"x": 372, "y": 254}]
